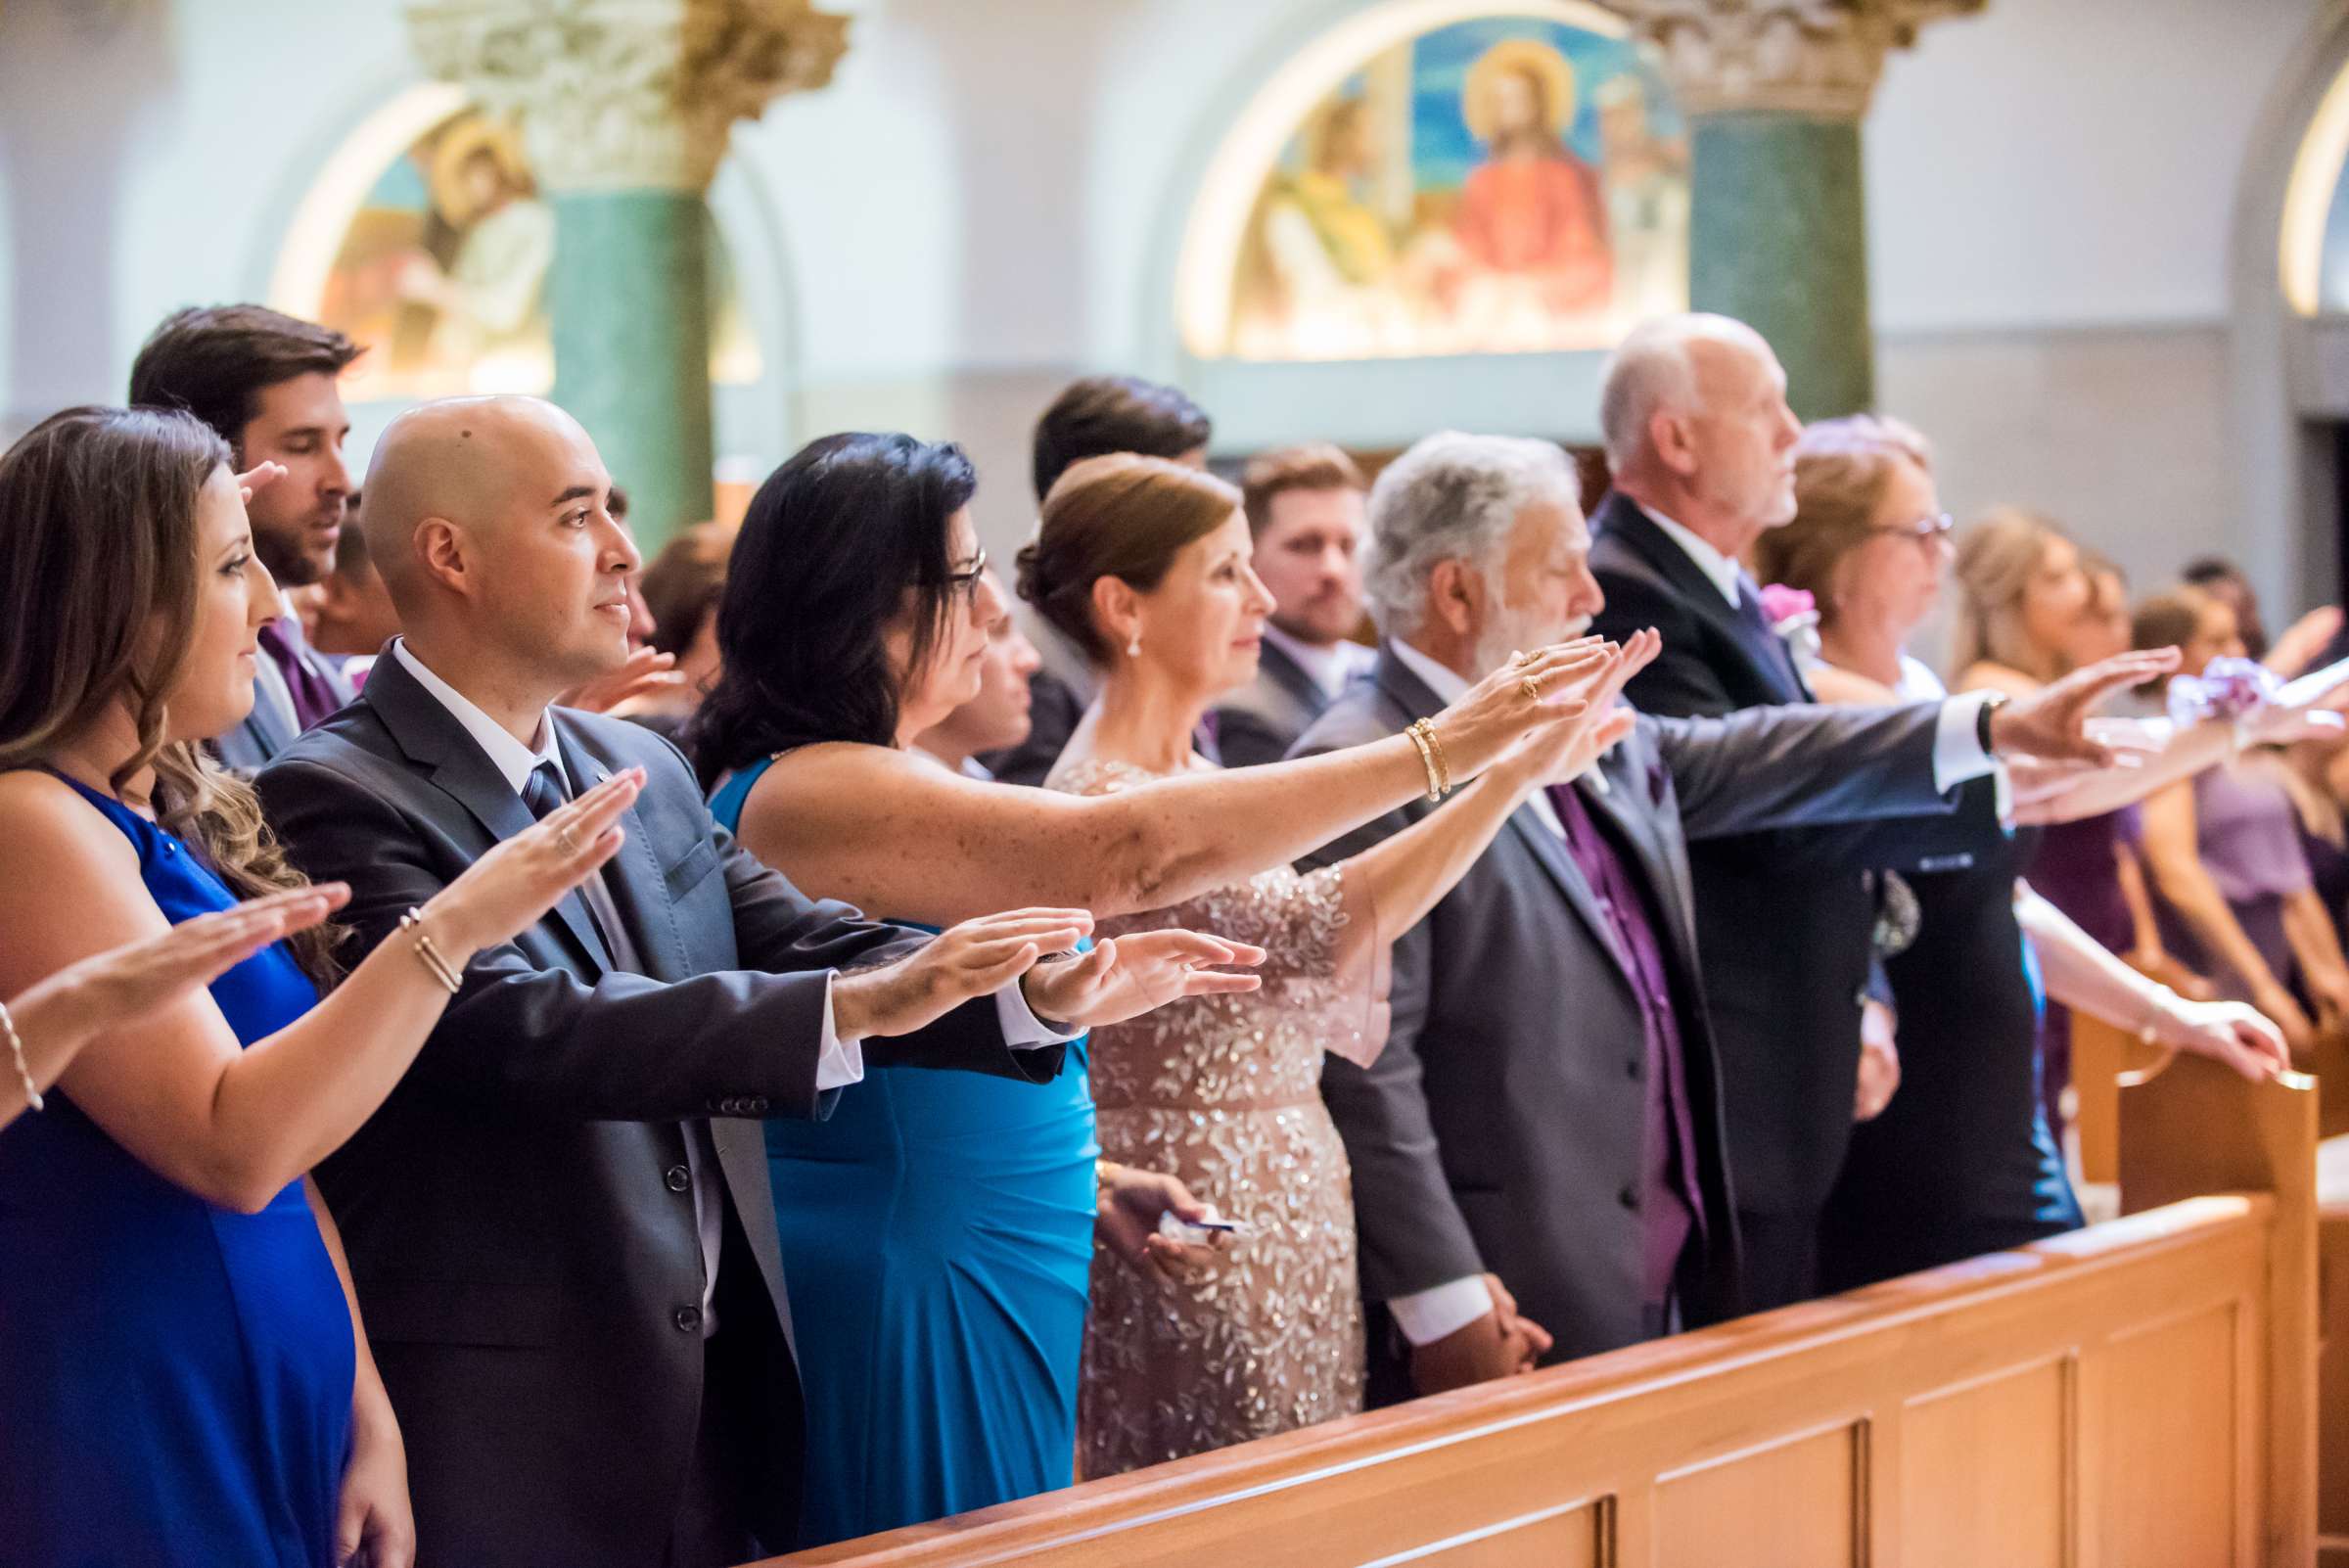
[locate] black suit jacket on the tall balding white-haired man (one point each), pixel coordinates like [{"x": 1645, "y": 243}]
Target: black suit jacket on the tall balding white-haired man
[{"x": 1784, "y": 917}]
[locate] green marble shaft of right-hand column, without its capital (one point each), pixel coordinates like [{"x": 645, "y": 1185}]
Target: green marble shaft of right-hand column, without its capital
[{"x": 1779, "y": 241}]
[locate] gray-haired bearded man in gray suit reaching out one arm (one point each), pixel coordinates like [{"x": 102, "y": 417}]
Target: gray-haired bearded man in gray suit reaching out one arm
[{"x": 1544, "y": 1126}]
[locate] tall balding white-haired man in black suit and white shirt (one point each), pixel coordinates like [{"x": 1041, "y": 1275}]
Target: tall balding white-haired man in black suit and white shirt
[{"x": 1702, "y": 447}]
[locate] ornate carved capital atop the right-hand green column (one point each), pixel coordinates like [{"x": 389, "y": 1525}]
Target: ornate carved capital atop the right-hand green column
[{"x": 1801, "y": 58}]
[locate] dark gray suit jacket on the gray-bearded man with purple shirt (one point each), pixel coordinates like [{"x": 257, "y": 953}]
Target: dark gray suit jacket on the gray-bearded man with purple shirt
[{"x": 1502, "y": 1126}]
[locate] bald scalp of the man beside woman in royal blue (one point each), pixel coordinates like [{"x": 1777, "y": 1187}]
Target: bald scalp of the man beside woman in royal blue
[{"x": 476, "y": 464}]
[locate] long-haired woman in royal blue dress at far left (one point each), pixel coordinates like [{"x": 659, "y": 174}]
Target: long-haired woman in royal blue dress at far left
[{"x": 182, "y": 1370}]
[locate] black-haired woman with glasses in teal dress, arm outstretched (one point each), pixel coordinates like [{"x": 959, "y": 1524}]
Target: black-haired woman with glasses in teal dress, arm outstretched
[{"x": 938, "y": 1222}]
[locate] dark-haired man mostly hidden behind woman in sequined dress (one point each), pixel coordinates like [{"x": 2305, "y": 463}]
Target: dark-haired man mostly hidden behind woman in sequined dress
[{"x": 1093, "y": 417}]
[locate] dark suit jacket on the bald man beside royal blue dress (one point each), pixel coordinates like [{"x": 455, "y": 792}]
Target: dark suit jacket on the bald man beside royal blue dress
[{"x": 518, "y": 1217}]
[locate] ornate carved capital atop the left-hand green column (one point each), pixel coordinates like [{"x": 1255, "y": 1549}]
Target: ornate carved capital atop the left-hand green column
[{"x": 619, "y": 95}]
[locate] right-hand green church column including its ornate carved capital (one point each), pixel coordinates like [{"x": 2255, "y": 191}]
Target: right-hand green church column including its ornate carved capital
[{"x": 1779, "y": 224}]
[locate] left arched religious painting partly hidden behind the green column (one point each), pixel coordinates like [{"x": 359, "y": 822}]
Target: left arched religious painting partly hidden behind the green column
[{"x": 443, "y": 273}]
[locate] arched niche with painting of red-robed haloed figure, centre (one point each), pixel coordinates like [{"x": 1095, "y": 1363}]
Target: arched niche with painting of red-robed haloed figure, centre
[{"x": 1375, "y": 372}]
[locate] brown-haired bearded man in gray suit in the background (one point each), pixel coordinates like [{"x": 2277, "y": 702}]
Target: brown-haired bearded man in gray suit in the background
[{"x": 1305, "y": 511}]
